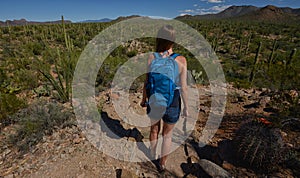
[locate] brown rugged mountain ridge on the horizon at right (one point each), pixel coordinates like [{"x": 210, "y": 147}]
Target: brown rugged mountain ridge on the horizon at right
[{"x": 252, "y": 13}]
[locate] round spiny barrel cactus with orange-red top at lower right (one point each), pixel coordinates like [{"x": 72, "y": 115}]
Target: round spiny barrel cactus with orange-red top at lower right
[{"x": 259, "y": 145}]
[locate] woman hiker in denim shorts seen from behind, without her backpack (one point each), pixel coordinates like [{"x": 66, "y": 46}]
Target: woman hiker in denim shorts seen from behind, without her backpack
[{"x": 164, "y": 48}]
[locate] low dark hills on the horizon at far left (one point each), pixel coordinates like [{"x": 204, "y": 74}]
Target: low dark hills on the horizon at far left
[{"x": 25, "y": 22}]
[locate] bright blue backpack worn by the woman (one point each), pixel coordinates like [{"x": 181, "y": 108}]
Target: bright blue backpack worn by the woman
[{"x": 163, "y": 75}]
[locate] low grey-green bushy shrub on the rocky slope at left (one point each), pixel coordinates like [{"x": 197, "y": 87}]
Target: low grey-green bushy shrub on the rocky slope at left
[{"x": 39, "y": 119}]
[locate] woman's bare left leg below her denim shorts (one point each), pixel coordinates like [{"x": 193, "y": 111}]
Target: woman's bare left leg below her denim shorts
[{"x": 155, "y": 129}]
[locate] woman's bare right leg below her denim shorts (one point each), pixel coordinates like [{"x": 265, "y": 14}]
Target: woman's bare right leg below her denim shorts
[{"x": 167, "y": 142}]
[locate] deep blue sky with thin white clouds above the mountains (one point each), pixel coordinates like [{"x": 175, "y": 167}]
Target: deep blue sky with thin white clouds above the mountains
[{"x": 79, "y": 10}]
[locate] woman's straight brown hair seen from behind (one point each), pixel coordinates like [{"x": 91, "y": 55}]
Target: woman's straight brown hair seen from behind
[{"x": 165, "y": 38}]
